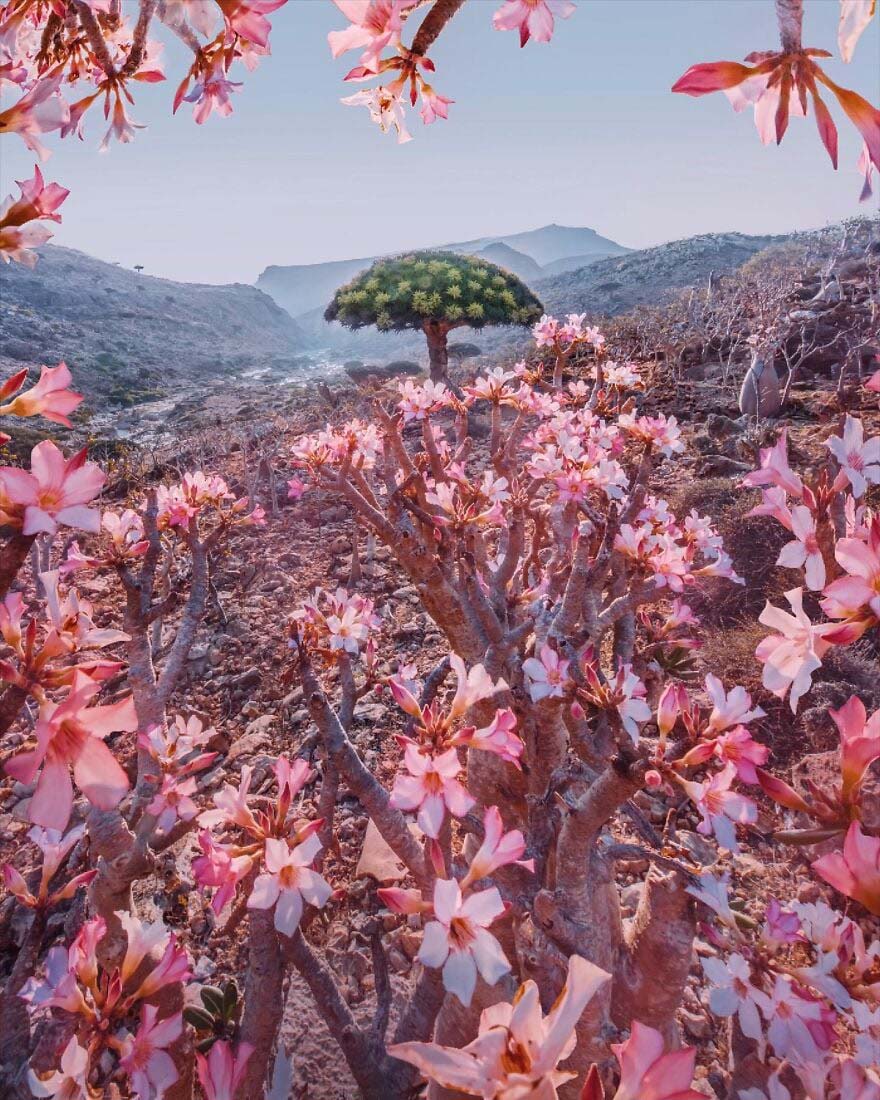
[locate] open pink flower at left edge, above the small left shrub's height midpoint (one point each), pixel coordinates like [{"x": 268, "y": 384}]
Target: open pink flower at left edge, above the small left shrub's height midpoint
[{"x": 57, "y": 491}]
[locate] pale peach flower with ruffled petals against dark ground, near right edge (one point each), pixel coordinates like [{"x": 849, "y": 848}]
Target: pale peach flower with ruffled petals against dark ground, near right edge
[{"x": 791, "y": 657}]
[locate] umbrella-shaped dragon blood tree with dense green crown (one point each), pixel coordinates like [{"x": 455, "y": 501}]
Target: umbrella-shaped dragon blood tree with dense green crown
[{"x": 434, "y": 292}]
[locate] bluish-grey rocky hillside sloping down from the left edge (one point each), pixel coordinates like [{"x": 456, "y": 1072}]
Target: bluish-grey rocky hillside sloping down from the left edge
[{"x": 131, "y": 337}]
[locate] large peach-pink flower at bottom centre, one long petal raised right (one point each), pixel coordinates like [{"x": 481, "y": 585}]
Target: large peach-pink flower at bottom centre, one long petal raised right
[{"x": 518, "y": 1049}]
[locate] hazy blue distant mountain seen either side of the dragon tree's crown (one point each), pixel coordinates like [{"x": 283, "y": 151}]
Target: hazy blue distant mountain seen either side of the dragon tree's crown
[{"x": 303, "y": 288}]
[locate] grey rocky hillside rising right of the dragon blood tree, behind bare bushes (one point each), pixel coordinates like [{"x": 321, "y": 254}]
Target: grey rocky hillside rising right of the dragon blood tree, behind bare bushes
[{"x": 618, "y": 283}]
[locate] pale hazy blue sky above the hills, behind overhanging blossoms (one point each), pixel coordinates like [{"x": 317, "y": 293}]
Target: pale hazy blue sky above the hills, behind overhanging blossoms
[{"x": 580, "y": 133}]
